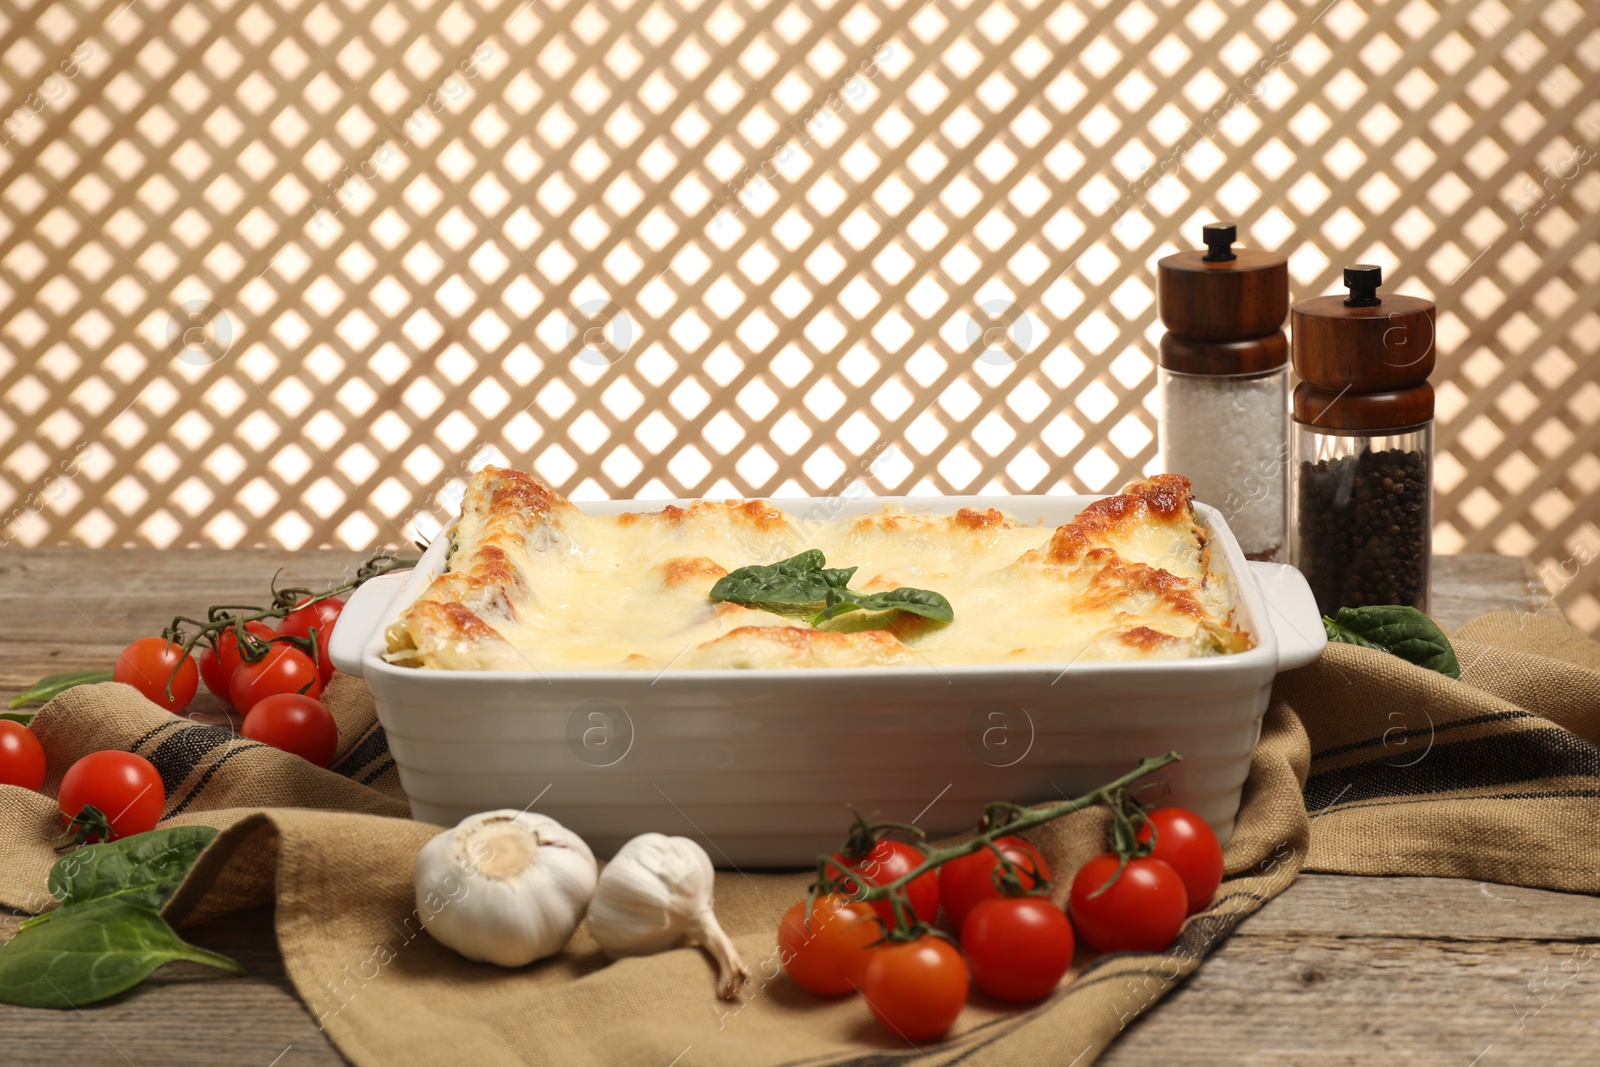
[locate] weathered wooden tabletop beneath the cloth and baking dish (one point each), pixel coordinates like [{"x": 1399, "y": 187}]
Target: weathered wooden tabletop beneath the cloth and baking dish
[{"x": 1335, "y": 972}]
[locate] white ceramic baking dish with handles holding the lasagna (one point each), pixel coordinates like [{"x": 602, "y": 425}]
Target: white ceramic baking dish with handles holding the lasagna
[{"x": 759, "y": 765}]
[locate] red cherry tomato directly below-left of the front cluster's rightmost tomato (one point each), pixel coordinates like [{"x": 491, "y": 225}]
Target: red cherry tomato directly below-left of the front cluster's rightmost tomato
[{"x": 1140, "y": 913}]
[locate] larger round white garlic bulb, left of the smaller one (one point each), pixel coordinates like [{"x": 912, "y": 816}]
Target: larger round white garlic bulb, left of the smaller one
[{"x": 505, "y": 887}]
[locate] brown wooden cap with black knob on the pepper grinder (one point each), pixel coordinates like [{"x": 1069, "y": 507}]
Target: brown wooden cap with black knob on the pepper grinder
[{"x": 1364, "y": 343}]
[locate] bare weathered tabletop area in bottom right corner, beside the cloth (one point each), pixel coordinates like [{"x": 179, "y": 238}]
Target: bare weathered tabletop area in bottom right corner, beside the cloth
[{"x": 1290, "y": 988}]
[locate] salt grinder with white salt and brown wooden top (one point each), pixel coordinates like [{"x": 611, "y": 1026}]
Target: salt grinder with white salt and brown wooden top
[{"x": 1225, "y": 383}]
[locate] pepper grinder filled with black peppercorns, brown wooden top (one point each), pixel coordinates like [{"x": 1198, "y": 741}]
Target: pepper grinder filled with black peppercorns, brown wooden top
[{"x": 1364, "y": 446}]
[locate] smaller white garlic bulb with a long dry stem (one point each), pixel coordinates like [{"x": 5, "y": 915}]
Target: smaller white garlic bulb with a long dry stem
[{"x": 655, "y": 895}]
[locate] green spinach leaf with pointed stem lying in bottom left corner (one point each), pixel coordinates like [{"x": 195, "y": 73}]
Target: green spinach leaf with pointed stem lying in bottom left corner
[{"x": 90, "y": 953}]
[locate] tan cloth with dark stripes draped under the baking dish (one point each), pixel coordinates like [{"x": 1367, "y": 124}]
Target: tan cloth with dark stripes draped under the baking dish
[{"x": 1366, "y": 765}]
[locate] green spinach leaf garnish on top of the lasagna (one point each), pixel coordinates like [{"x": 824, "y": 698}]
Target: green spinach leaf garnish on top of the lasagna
[{"x": 806, "y": 586}]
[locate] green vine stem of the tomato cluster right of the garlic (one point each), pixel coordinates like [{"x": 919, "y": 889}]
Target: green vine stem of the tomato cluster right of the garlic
[{"x": 1001, "y": 820}]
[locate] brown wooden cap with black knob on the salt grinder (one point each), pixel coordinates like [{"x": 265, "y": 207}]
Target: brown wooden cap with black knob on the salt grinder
[{"x": 1223, "y": 294}]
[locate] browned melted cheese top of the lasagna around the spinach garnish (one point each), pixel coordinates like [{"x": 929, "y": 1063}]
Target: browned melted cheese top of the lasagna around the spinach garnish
[{"x": 534, "y": 583}]
